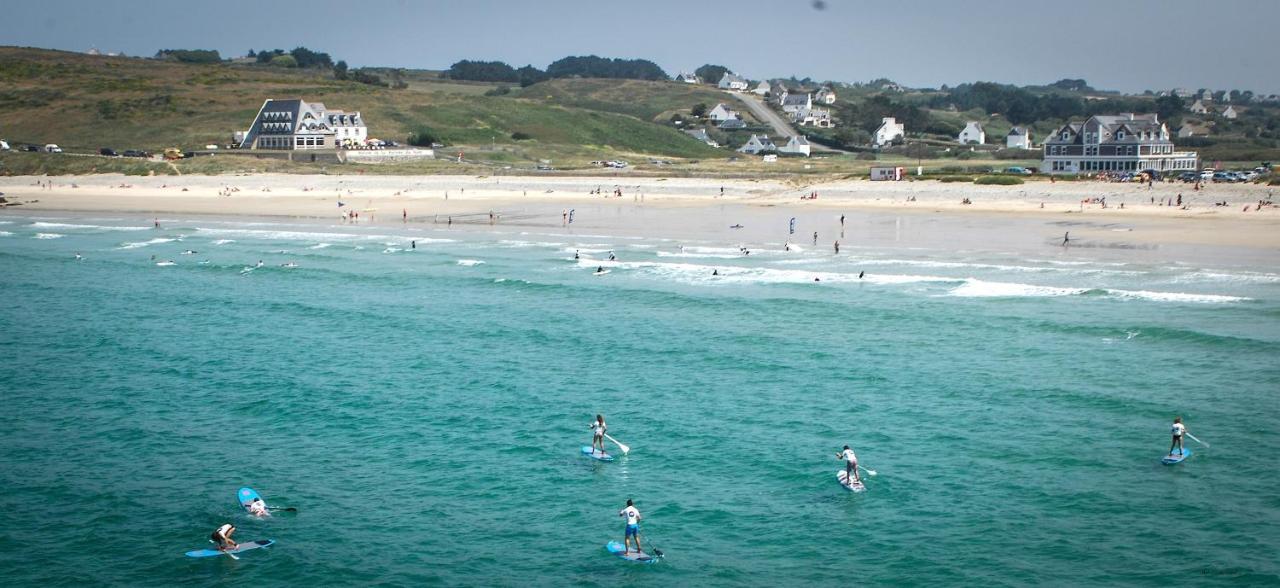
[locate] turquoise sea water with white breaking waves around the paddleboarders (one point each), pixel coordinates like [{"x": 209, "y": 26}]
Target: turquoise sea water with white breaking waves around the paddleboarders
[{"x": 424, "y": 409}]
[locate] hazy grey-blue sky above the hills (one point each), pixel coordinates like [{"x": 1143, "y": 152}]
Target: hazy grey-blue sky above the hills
[{"x": 1128, "y": 45}]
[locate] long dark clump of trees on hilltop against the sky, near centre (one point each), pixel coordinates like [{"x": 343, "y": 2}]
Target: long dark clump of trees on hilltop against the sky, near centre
[{"x": 583, "y": 67}]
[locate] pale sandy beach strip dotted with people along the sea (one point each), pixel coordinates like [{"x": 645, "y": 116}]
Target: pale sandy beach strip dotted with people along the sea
[{"x": 925, "y": 213}]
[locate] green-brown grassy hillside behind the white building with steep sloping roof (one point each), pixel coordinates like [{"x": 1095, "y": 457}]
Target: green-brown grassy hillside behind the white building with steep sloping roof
[{"x": 85, "y": 103}]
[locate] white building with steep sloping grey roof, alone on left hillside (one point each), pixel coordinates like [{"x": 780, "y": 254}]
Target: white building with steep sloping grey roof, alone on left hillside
[{"x": 295, "y": 125}]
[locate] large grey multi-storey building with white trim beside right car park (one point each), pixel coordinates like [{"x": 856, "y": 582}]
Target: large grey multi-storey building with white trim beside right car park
[{"x": 1124, "y": 143}]
